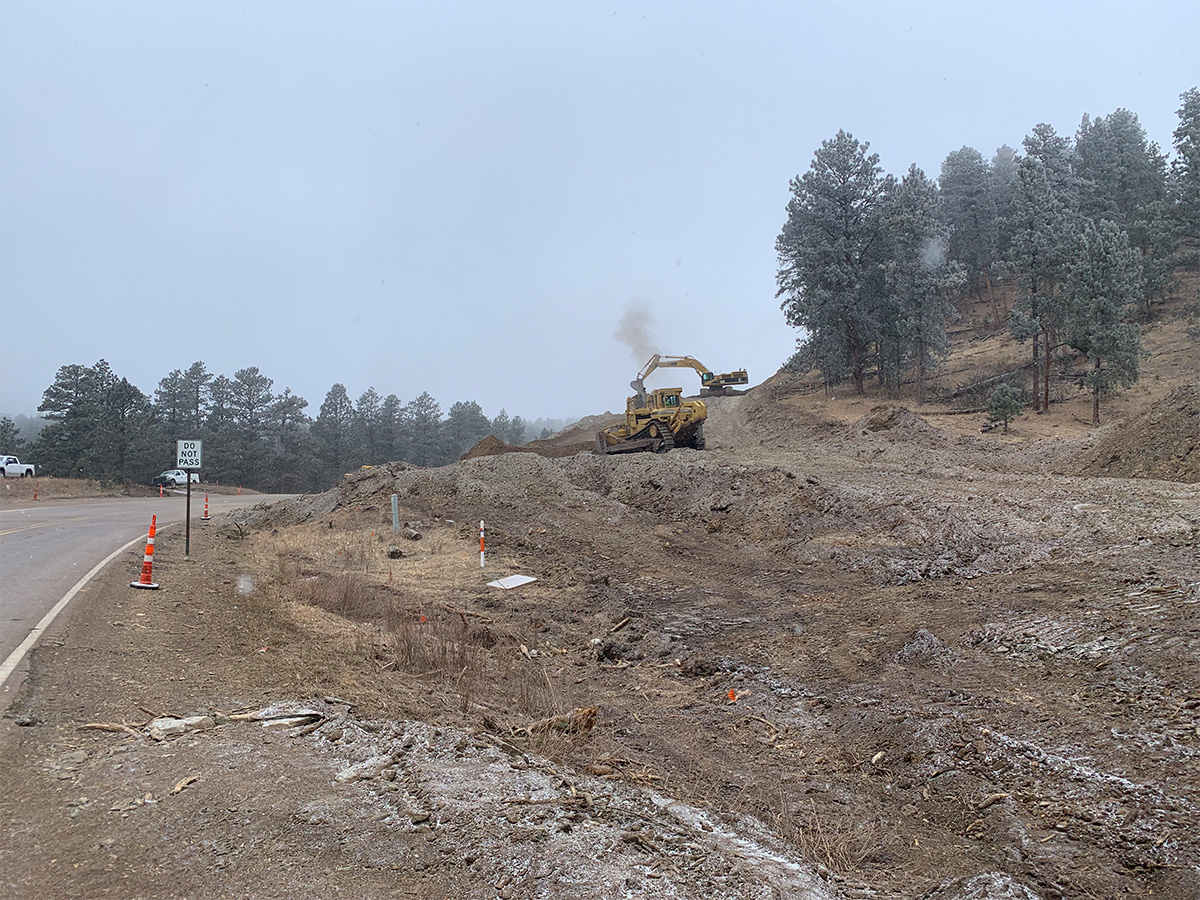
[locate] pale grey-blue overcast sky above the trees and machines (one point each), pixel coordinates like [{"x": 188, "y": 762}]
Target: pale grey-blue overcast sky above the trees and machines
[{"x": 464, "y": 199}]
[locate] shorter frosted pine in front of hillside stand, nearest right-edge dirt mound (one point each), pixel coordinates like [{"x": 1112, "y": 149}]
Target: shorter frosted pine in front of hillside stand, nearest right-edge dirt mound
[{"x": 1105, "y": 285}]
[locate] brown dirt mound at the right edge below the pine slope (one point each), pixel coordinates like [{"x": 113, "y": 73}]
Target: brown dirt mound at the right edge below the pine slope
[{"x": 1163, "y": 442}]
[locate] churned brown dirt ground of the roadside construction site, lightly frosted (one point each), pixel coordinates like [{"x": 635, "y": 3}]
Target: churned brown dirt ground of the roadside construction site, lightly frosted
[{"x": 847, "y": 652}]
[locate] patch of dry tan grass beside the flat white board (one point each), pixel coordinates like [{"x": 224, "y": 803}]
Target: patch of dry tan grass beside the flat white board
[{"x": 409, "y": 619}]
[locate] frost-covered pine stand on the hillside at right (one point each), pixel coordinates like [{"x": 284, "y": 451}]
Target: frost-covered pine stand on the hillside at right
[{"x": 1089, "y": 230}]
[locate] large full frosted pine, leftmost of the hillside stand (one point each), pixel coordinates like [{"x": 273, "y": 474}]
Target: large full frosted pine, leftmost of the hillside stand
[{"x": 831, "y": 257}]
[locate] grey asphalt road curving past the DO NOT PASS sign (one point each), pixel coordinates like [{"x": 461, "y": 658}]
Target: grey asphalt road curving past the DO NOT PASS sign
[{"x": 47, "y": 548}]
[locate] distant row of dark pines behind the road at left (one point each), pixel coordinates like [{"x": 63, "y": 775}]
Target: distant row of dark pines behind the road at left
[{"x": 101, "y": 427}]
